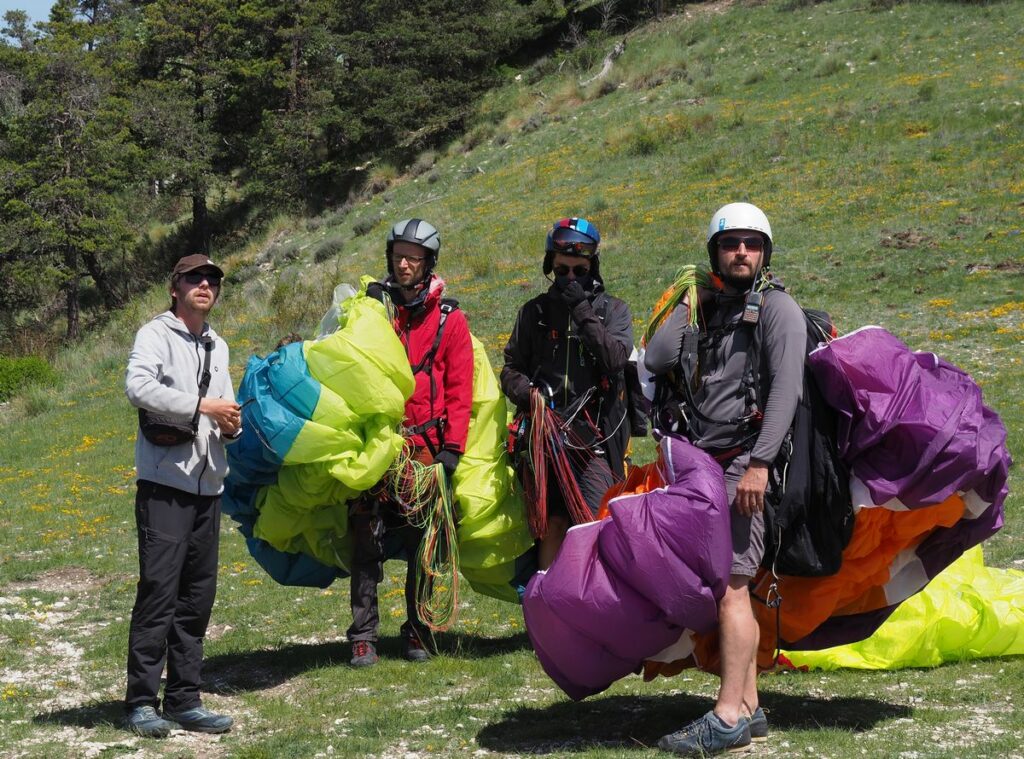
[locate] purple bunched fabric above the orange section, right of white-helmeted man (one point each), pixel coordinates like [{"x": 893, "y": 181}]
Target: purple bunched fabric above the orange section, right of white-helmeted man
[{"x": 913, "y": 427}]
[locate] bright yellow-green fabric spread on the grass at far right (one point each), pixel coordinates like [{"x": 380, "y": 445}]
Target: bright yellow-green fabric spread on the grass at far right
[{"x": 969, "y": 611}]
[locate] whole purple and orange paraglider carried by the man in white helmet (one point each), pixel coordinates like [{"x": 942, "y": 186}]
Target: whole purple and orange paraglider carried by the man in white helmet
[{"x": 929, "y": 469}]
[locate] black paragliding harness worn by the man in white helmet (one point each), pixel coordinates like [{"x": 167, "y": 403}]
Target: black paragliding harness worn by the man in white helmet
[{"x": 808, "y": 511}]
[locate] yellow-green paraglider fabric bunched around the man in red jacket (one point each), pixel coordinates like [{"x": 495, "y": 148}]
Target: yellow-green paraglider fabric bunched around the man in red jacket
[{"x": 352, "y": 439}]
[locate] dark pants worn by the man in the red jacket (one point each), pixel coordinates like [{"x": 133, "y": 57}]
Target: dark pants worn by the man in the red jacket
[{"x": 369, "y": 528}]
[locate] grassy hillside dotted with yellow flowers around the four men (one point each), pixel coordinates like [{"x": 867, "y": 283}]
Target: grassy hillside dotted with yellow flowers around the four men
[{"x": 886, "y": 145}]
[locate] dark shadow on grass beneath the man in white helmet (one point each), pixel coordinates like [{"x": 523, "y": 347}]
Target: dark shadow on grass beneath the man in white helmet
[{"x": 626, "y": 722}]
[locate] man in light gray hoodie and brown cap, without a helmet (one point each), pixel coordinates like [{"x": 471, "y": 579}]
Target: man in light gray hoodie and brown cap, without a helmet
[{"x": 178, "y": 502}]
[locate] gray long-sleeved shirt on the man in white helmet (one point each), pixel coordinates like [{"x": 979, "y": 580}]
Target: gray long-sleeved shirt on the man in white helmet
[{"x": 722, "y": 364}]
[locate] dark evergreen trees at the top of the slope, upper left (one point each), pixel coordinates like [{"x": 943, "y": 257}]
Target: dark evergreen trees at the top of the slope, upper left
[{"x": 111, "y": 107}]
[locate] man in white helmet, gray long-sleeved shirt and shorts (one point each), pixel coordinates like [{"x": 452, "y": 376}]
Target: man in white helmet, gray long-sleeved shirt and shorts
[{"x": 741, "y": 417}]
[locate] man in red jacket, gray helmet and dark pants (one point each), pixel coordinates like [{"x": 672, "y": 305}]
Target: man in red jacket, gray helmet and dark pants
[{"x": 437, "y": 339}]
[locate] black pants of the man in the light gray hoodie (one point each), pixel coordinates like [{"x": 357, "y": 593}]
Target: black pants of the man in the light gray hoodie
[{"x": 179, "y": 540}]
